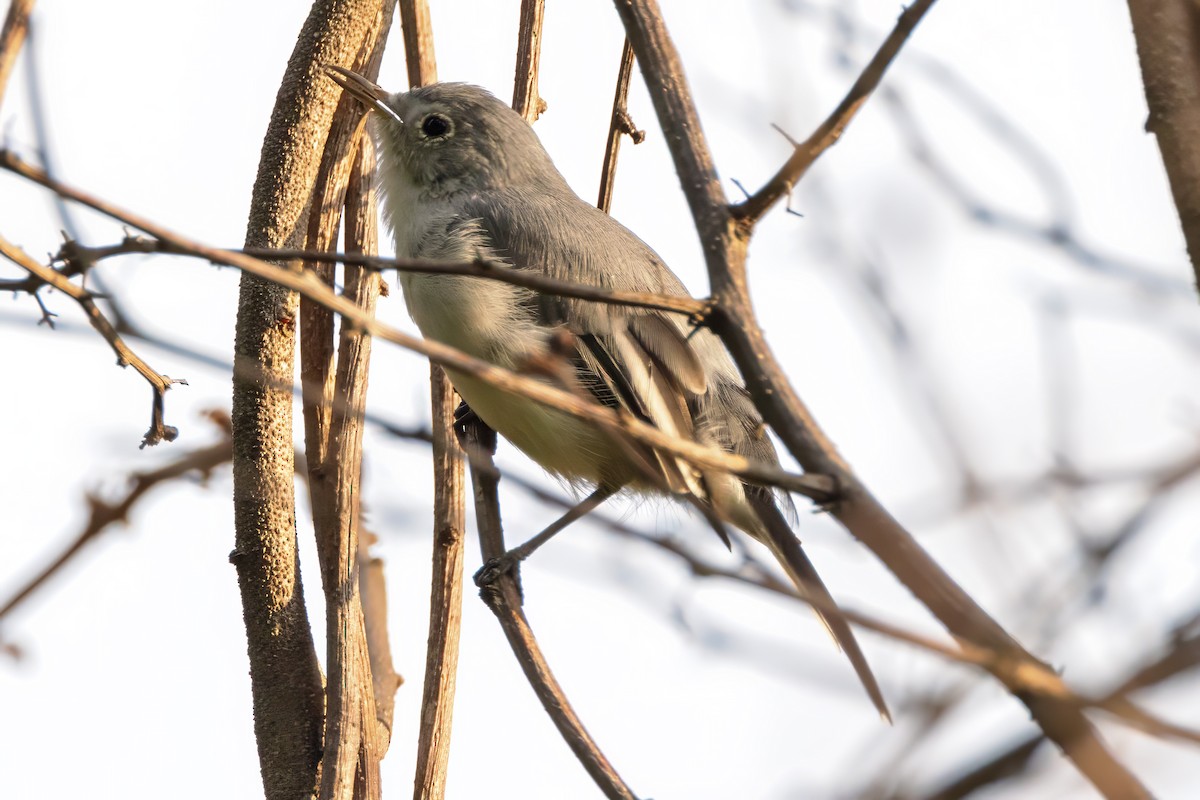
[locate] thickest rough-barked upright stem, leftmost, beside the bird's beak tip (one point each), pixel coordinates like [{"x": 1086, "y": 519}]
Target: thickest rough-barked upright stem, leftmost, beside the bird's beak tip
[{"x": 285, "y": 677}]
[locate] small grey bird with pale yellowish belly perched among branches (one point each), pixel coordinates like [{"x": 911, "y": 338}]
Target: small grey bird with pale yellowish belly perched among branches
[{"x": 465, "y": 178}]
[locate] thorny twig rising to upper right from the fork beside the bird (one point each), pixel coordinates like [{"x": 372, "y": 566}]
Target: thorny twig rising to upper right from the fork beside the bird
[{"x": 751, "y": 210}]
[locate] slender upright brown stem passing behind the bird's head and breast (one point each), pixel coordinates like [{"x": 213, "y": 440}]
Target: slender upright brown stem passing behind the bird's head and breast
[{"x": 449, "y": 507}]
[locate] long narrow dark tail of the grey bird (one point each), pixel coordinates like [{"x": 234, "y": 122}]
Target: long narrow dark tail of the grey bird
[{"x": 778, "y": 536}]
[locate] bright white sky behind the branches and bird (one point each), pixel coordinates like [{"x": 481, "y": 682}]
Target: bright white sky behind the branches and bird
[{"x": 135, "y": 683}]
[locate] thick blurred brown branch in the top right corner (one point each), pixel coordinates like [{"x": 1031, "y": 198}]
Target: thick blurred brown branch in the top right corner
[{"x": 1168, "y": 34}]
